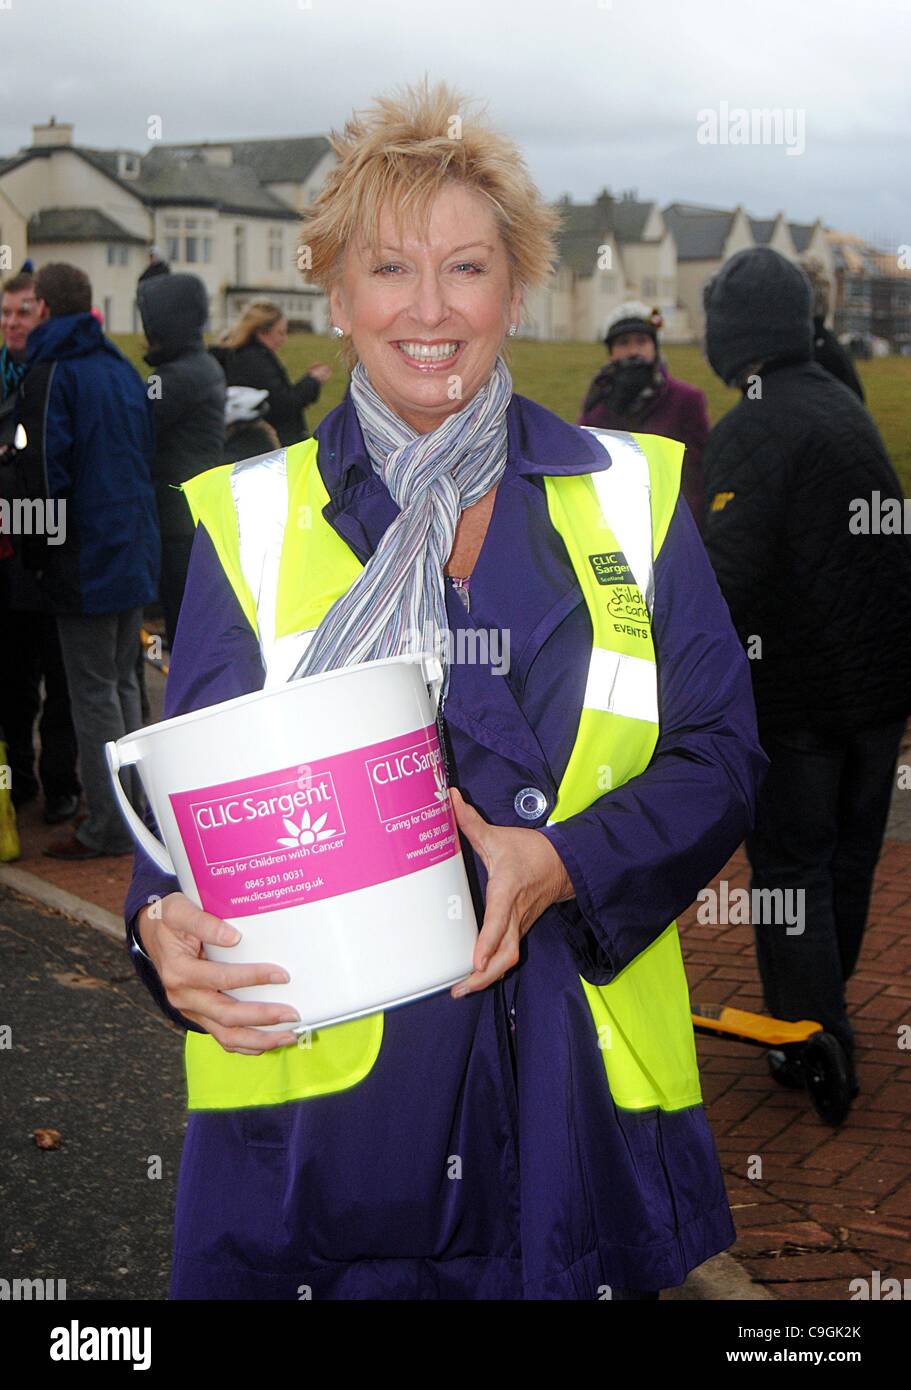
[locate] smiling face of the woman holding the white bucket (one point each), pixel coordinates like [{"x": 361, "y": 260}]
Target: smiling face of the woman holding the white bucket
[{"x": 428, "y": 318}]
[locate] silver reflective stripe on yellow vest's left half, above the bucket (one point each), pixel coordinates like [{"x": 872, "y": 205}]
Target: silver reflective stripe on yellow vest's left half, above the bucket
[{"x": 259, "y": 489}]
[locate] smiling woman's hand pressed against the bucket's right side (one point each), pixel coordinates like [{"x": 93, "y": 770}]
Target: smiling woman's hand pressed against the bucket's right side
[{"x": 525, "y": 876}]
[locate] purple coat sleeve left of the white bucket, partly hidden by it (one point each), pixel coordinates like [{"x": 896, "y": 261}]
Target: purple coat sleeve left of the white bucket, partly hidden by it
[{"x": 216, "y": 658}]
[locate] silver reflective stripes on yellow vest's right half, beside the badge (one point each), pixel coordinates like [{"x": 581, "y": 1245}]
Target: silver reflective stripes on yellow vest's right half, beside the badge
[{"x": 622, "y": 685}]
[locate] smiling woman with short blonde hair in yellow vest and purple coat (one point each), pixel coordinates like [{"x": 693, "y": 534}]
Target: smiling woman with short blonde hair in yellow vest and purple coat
[{"x": 604, "y": 774}]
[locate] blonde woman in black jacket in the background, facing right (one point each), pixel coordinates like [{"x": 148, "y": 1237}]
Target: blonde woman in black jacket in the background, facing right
[{"x": 250, "y": 357}]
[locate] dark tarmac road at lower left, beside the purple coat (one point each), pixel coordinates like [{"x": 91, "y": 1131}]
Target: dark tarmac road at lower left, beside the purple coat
[{"x": 87, "y": 1054}]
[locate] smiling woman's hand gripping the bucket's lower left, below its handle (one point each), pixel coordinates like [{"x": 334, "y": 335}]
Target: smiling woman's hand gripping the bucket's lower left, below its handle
[{"x": 173, "y": 935}]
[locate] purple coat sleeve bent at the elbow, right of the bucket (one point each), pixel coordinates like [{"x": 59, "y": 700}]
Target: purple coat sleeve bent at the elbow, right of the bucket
[{"x": 639, "y": 856}]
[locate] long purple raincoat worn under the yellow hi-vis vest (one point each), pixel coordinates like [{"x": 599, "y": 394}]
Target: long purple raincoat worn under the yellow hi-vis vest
[{"x": 557, "y": 1193}]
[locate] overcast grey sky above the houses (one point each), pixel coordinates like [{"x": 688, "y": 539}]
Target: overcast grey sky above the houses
[{"x": 597, "y": 92}]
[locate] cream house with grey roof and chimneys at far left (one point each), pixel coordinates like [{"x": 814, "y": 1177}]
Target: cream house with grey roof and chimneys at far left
[{"x": 207, "y": 208}]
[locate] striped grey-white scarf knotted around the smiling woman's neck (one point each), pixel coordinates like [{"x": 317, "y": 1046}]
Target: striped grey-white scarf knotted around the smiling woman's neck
[{"x": 398, "y": 603}]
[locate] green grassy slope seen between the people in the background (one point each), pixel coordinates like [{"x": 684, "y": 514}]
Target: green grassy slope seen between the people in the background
[{"x": 558, "y": 376}]
